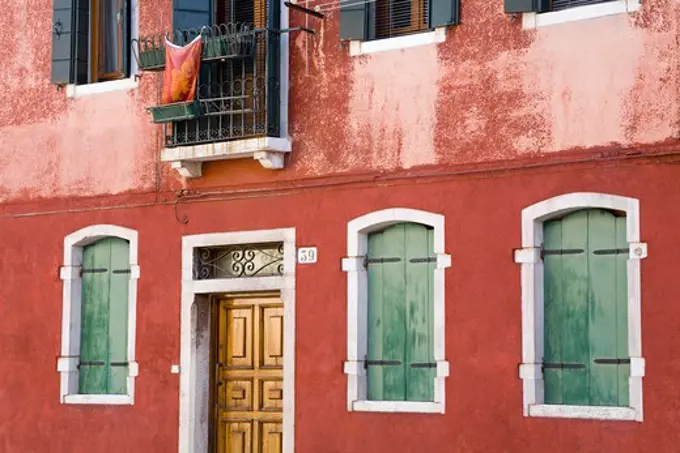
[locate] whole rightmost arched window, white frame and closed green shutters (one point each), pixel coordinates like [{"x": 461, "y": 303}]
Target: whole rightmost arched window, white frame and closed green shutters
[{"x": 581, "y": 307}]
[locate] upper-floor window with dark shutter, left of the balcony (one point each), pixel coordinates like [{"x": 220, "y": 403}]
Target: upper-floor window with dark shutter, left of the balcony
[{"x": 91, "y": 40}]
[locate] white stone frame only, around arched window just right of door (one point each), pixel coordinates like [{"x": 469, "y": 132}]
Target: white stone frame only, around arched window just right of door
[{"x": 357, "y": 309}]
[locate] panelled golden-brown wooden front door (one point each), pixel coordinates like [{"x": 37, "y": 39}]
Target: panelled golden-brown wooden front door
[{"x": 248, "y": 381}]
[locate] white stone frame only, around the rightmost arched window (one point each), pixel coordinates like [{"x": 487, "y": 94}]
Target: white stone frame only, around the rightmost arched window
[{"x": 529, "y": 257}]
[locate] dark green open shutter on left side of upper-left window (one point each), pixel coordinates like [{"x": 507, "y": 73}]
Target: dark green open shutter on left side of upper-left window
[{"x": 70, "y": 26}]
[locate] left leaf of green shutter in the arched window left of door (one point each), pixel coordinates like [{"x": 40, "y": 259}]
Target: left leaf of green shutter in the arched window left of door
[{"x": 94, "y": 314}]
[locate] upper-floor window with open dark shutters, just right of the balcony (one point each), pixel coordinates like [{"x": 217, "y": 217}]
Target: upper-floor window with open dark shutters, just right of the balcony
[{"x": 366, "y": 20}]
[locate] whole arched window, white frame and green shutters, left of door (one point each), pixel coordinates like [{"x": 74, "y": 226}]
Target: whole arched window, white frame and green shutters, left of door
[{"x": 100, "y": 272}]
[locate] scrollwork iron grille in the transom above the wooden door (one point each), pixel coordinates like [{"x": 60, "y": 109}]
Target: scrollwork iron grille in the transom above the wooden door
[{"x": 238, "y": 261}]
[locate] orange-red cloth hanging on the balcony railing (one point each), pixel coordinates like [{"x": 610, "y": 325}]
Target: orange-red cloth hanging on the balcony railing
[{"x": 182, "y": 65}]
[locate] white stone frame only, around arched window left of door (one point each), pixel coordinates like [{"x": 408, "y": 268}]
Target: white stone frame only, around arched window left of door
[{"x": 67, "y": 364}]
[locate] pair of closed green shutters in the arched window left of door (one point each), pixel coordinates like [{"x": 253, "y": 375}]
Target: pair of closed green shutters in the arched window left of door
[{"x": 104, "y": 314}]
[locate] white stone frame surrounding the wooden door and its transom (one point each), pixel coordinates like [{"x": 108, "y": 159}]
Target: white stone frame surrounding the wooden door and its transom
[{"x": 194, "y": 384}]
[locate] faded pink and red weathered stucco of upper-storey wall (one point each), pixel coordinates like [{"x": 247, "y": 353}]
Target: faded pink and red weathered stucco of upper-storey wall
[{"x": 492, "y": 91}]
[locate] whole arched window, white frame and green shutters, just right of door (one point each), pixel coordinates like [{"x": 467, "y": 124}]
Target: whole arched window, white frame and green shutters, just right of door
[{"x": 396, "y": 360}]
